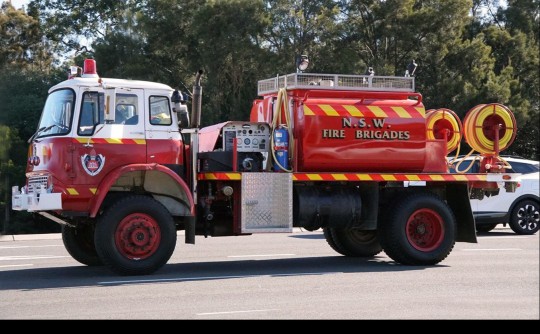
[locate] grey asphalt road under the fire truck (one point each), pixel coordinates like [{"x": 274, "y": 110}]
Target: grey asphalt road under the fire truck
[{"x": 275, "y": 276}]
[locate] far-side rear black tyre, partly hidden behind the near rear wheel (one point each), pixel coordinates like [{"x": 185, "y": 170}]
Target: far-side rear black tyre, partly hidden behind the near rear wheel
[{"x": 353, "y": 242}]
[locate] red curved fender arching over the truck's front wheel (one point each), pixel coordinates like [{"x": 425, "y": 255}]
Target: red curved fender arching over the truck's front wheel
[{"x": 111, "y": 178}]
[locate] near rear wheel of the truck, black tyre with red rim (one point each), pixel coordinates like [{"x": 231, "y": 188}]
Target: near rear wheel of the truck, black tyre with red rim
[{"x": 418, "y": 230}]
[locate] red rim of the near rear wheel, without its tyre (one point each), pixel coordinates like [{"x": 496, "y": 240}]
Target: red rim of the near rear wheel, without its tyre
[{"x": 425, "y": 230}]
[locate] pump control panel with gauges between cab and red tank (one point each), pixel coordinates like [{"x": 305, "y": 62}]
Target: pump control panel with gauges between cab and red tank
[{"x": 250, "y": 137}]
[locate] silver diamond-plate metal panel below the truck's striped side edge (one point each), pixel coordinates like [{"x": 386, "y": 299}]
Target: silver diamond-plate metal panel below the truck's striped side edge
[{"x": 266, "y": 202}]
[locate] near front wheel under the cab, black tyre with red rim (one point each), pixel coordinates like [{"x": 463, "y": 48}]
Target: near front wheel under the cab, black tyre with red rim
[{"x": 135, "y": 236}]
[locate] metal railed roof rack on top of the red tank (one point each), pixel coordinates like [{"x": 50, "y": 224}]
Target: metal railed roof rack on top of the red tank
[{"x": 336, "y": 82}]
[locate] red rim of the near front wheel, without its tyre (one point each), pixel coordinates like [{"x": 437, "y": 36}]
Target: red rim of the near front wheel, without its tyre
[{"x": 138, "y": 236}]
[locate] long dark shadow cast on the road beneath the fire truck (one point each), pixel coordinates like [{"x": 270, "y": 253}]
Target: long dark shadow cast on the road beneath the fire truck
[{"x": 69, "y": 277}]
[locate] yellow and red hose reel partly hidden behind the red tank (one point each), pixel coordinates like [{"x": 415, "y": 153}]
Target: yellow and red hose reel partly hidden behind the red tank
[{"x": 444, "y": 124}]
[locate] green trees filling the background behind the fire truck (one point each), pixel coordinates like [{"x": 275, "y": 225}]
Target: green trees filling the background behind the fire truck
[{"x": 468, "y": 51}]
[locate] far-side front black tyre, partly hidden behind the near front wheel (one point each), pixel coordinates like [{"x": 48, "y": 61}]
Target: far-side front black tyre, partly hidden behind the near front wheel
[{"x": 79, "y": 243}]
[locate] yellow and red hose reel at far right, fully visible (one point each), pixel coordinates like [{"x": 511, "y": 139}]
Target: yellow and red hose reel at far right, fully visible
[{"x": 490, "y": 128}]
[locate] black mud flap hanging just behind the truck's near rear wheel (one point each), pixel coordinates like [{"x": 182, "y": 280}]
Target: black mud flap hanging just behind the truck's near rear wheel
[{"x": 457, "y": 196}]
